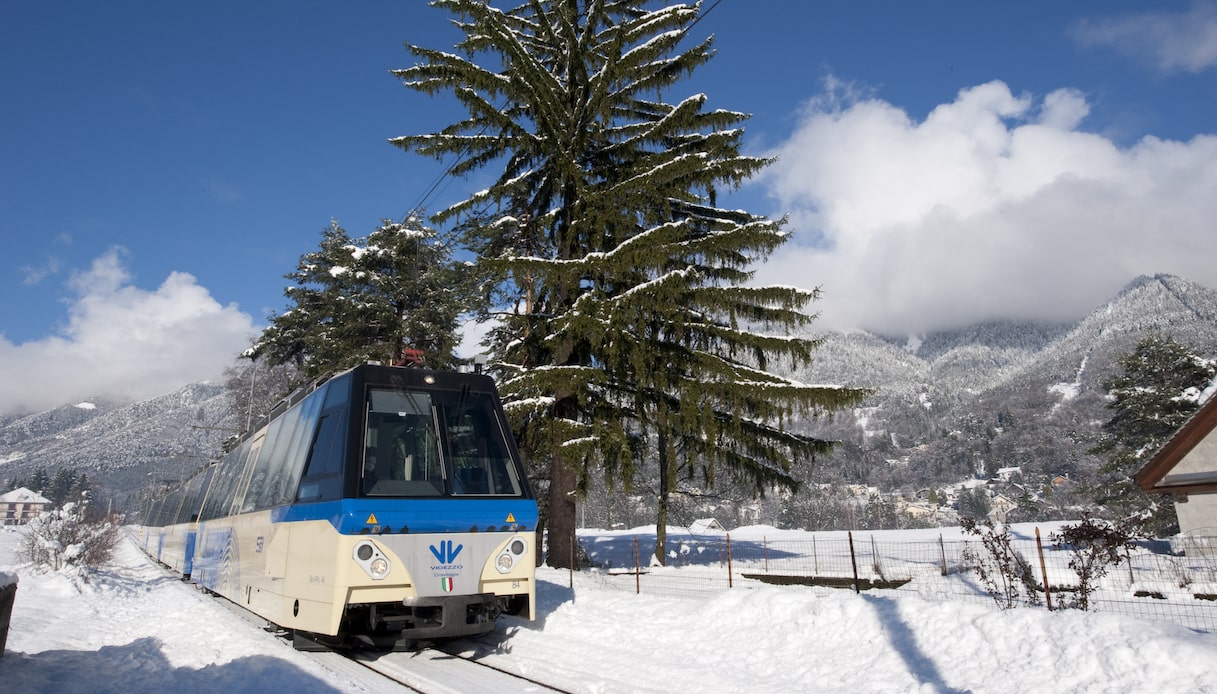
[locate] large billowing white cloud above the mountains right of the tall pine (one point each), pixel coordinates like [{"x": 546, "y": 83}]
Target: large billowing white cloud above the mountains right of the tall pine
[{"x": 996, "y": 205}]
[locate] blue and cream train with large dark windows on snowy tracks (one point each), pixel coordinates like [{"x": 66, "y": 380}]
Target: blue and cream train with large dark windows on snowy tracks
[{"x": 383, "y": 507}]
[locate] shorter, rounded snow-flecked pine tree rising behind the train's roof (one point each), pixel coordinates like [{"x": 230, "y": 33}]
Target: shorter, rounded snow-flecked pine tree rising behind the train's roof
[{"x": 357, "y": 300}]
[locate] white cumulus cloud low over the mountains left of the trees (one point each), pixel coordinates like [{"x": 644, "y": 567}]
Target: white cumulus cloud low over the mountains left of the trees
[{"x": 125, "y": 342}]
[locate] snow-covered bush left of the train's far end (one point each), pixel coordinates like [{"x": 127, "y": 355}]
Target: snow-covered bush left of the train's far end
[{"x": 65, "y": 538}]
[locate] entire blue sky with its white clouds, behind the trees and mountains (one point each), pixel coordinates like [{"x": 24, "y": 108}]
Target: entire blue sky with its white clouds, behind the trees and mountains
[{"x": 164, "y": 166}]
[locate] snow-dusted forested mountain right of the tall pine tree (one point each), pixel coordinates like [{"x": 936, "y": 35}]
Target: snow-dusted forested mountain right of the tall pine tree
[{"x": 968, "y": 402}]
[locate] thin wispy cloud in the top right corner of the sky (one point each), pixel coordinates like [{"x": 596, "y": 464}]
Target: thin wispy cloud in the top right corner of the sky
[{"x": 1173, "y": 42}]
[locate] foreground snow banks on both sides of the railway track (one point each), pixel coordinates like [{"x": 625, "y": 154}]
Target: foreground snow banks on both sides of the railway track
[{"x": 133, "y": 629}]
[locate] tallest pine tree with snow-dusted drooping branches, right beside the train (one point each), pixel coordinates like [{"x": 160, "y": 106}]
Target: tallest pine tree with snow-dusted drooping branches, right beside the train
[{"x": 626, "y": 333}]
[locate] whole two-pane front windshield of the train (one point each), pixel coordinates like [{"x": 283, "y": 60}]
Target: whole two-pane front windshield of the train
[{"x": 433, "y": 444}]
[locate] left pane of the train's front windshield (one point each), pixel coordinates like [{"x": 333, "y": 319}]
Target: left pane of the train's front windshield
[{"x": 402, "y": 447}]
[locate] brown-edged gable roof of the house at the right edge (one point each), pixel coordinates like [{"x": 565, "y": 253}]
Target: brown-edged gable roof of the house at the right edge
[{"x": 1201, "y": 475}]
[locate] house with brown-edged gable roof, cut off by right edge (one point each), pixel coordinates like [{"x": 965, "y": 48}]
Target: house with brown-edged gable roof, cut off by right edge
[{"x": 1187, "y": 468}]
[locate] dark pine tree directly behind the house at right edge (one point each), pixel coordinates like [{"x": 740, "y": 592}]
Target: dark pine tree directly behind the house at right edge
[{"x": 1153, "y": 398}]
